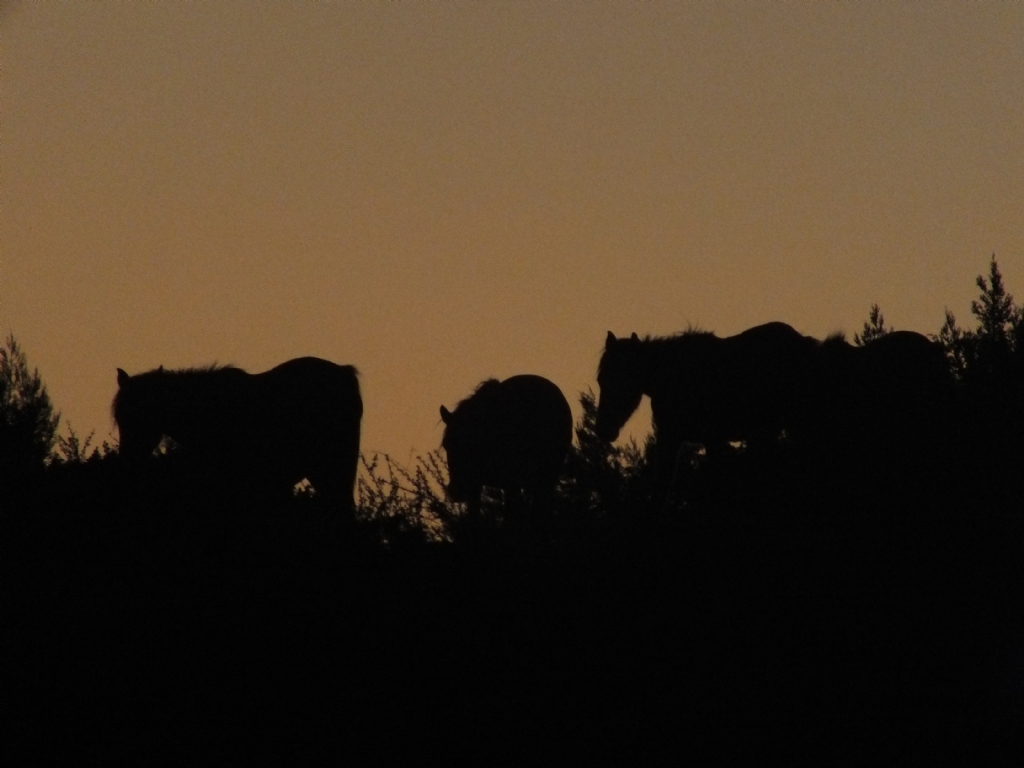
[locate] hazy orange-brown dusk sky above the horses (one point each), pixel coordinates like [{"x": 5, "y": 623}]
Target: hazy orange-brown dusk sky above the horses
[{"x": 442, "y": 193}]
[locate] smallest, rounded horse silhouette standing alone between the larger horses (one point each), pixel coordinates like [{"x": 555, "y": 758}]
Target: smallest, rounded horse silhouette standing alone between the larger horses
[{"x": 513, "y": 436}]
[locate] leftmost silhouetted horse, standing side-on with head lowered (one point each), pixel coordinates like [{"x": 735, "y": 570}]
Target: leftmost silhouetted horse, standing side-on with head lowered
[{"x": 265, "y": 432}]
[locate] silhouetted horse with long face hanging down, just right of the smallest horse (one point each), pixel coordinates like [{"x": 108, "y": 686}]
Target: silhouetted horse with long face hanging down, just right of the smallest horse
[{"x": 705, "y": 390}]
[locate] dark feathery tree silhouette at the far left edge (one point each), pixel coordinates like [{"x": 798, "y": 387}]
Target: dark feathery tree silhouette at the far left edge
[{"x": 28, "y": 422}]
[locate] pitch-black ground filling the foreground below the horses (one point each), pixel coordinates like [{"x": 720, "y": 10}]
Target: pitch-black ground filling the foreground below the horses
[{"x": 876, "y": 625}]
